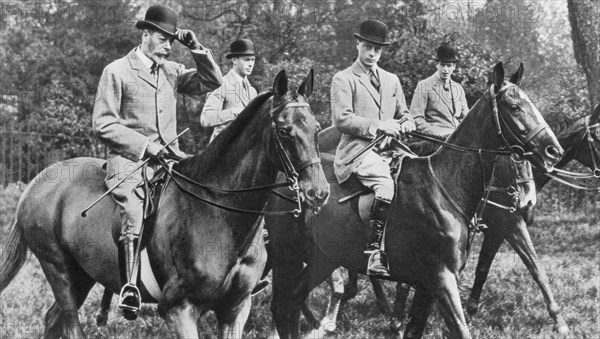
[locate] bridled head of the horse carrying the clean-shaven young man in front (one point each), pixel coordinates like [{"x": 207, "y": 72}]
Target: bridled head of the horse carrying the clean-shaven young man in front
[{"x": 519, "y": 123}]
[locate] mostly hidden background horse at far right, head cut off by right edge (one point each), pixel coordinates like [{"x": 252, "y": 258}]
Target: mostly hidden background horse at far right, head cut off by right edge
[{"x": 581, "y": 139}]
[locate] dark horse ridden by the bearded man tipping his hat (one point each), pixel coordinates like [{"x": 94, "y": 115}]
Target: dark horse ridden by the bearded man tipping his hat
[{"x": 204, "y": 255}]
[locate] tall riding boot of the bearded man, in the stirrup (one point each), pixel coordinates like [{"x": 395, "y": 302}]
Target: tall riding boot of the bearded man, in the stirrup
[{"x": 129, "y": 298}]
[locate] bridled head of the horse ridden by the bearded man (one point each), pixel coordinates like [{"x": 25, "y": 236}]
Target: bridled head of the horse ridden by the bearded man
[{"x": 296, "y": 129}]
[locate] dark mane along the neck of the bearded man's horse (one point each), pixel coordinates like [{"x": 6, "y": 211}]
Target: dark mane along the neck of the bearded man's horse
[{"x": 198, "y": 164}]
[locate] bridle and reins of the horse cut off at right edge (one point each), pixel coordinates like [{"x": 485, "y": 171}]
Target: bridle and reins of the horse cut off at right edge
[{"x": 561, "y": 175}]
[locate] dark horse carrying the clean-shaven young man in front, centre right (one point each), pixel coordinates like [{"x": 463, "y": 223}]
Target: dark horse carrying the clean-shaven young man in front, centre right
[{"x": 428, "y": 228}]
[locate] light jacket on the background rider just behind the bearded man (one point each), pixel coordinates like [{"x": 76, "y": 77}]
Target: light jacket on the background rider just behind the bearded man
[{"x": 223, "y": 104}]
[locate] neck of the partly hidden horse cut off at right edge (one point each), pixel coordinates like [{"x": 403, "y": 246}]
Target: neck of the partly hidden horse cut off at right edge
[{"x": 576, "y": 149}]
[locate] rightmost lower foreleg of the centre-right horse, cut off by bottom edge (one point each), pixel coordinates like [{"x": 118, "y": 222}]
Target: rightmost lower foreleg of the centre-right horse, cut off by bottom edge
[{"x": 445, "y": 291}]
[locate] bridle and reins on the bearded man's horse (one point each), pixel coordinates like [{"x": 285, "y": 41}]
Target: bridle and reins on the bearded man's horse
[{"x": 290, "y": 170}]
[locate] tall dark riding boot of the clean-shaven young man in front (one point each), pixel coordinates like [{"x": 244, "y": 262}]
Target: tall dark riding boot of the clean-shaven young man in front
[{"x": 377, "y": 265}]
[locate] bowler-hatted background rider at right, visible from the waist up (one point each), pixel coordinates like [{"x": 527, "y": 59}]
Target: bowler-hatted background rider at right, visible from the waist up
[{"x": 439, "y": 103}]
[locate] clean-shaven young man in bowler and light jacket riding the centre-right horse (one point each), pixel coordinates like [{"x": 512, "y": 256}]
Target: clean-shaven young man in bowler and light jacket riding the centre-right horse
[{"x": 365, "y": 101}]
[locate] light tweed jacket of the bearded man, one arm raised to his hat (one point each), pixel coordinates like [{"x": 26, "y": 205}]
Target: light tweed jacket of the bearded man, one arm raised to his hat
[{"x": 132, "y": 108}]
